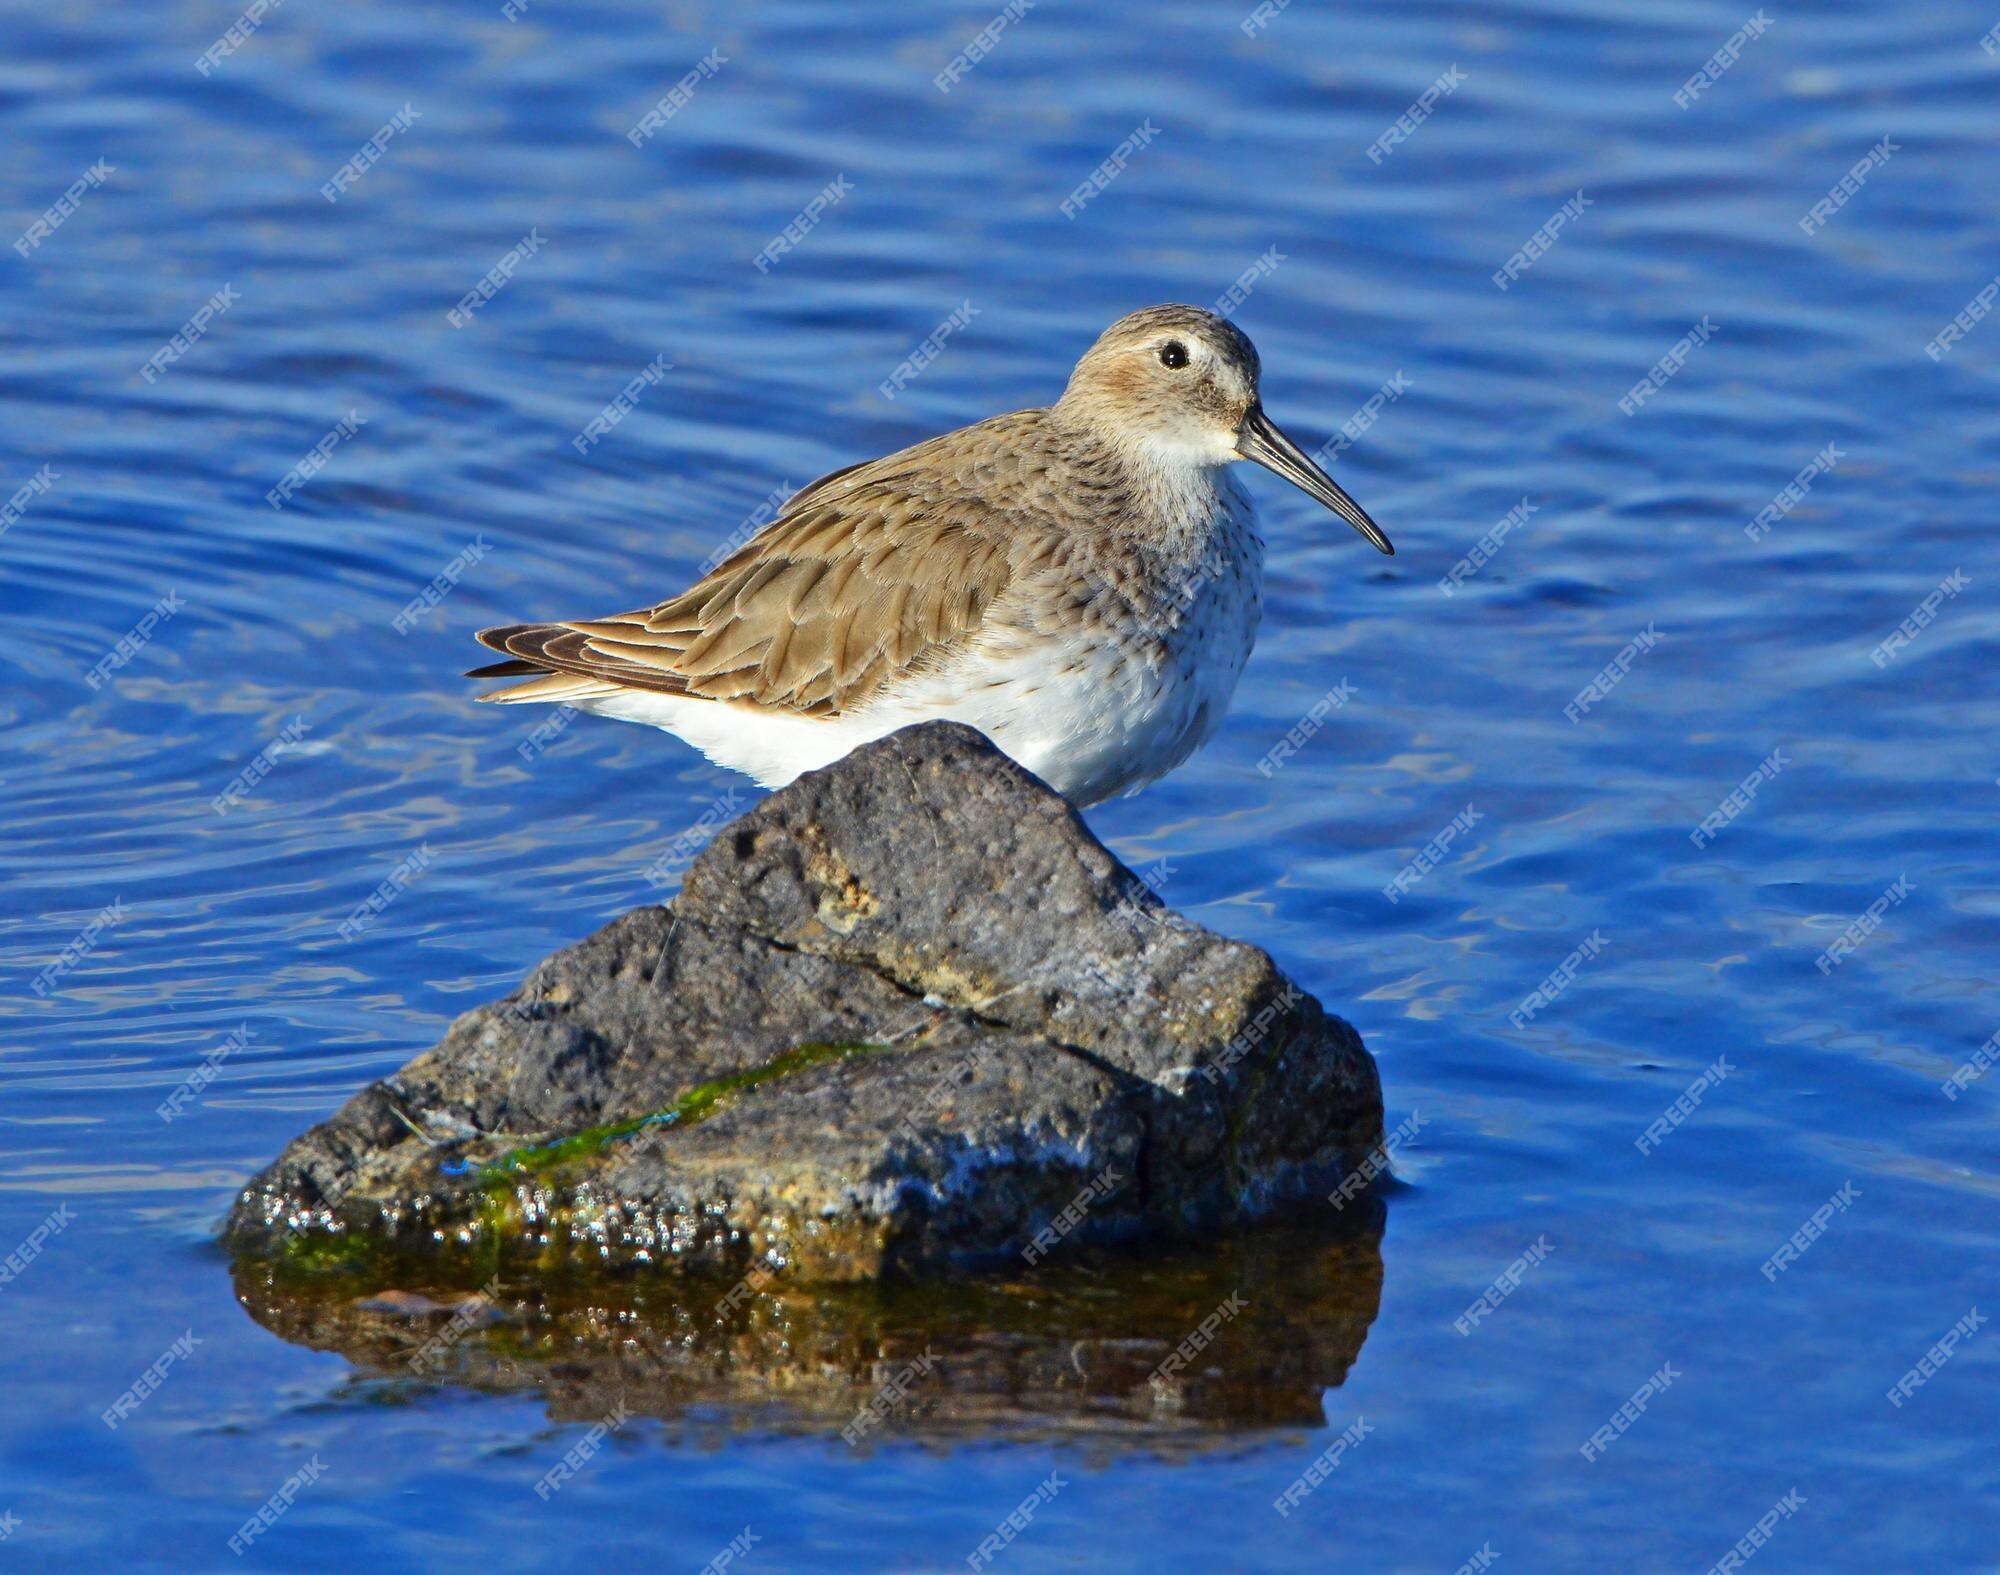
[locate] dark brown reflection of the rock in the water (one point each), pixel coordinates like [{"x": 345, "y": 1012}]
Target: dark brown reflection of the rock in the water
[{"x": 1071, "y": 1348}]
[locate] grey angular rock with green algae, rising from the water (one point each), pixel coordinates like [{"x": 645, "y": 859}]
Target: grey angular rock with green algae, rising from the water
[{"x": 905, "y": 1014}]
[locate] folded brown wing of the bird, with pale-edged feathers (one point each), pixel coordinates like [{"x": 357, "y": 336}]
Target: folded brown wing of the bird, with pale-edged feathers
[{"x": 861, "y": 581}]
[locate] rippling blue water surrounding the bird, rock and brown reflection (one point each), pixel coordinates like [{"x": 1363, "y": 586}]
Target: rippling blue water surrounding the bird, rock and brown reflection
[{"x": 465, "y": 453}]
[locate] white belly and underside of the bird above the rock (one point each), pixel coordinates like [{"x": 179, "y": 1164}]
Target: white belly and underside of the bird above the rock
[{"x": 1091, "y": 719}]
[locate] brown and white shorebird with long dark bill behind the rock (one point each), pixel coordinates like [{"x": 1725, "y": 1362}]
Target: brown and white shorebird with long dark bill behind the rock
[{"x": 1079, "y": 583}]
